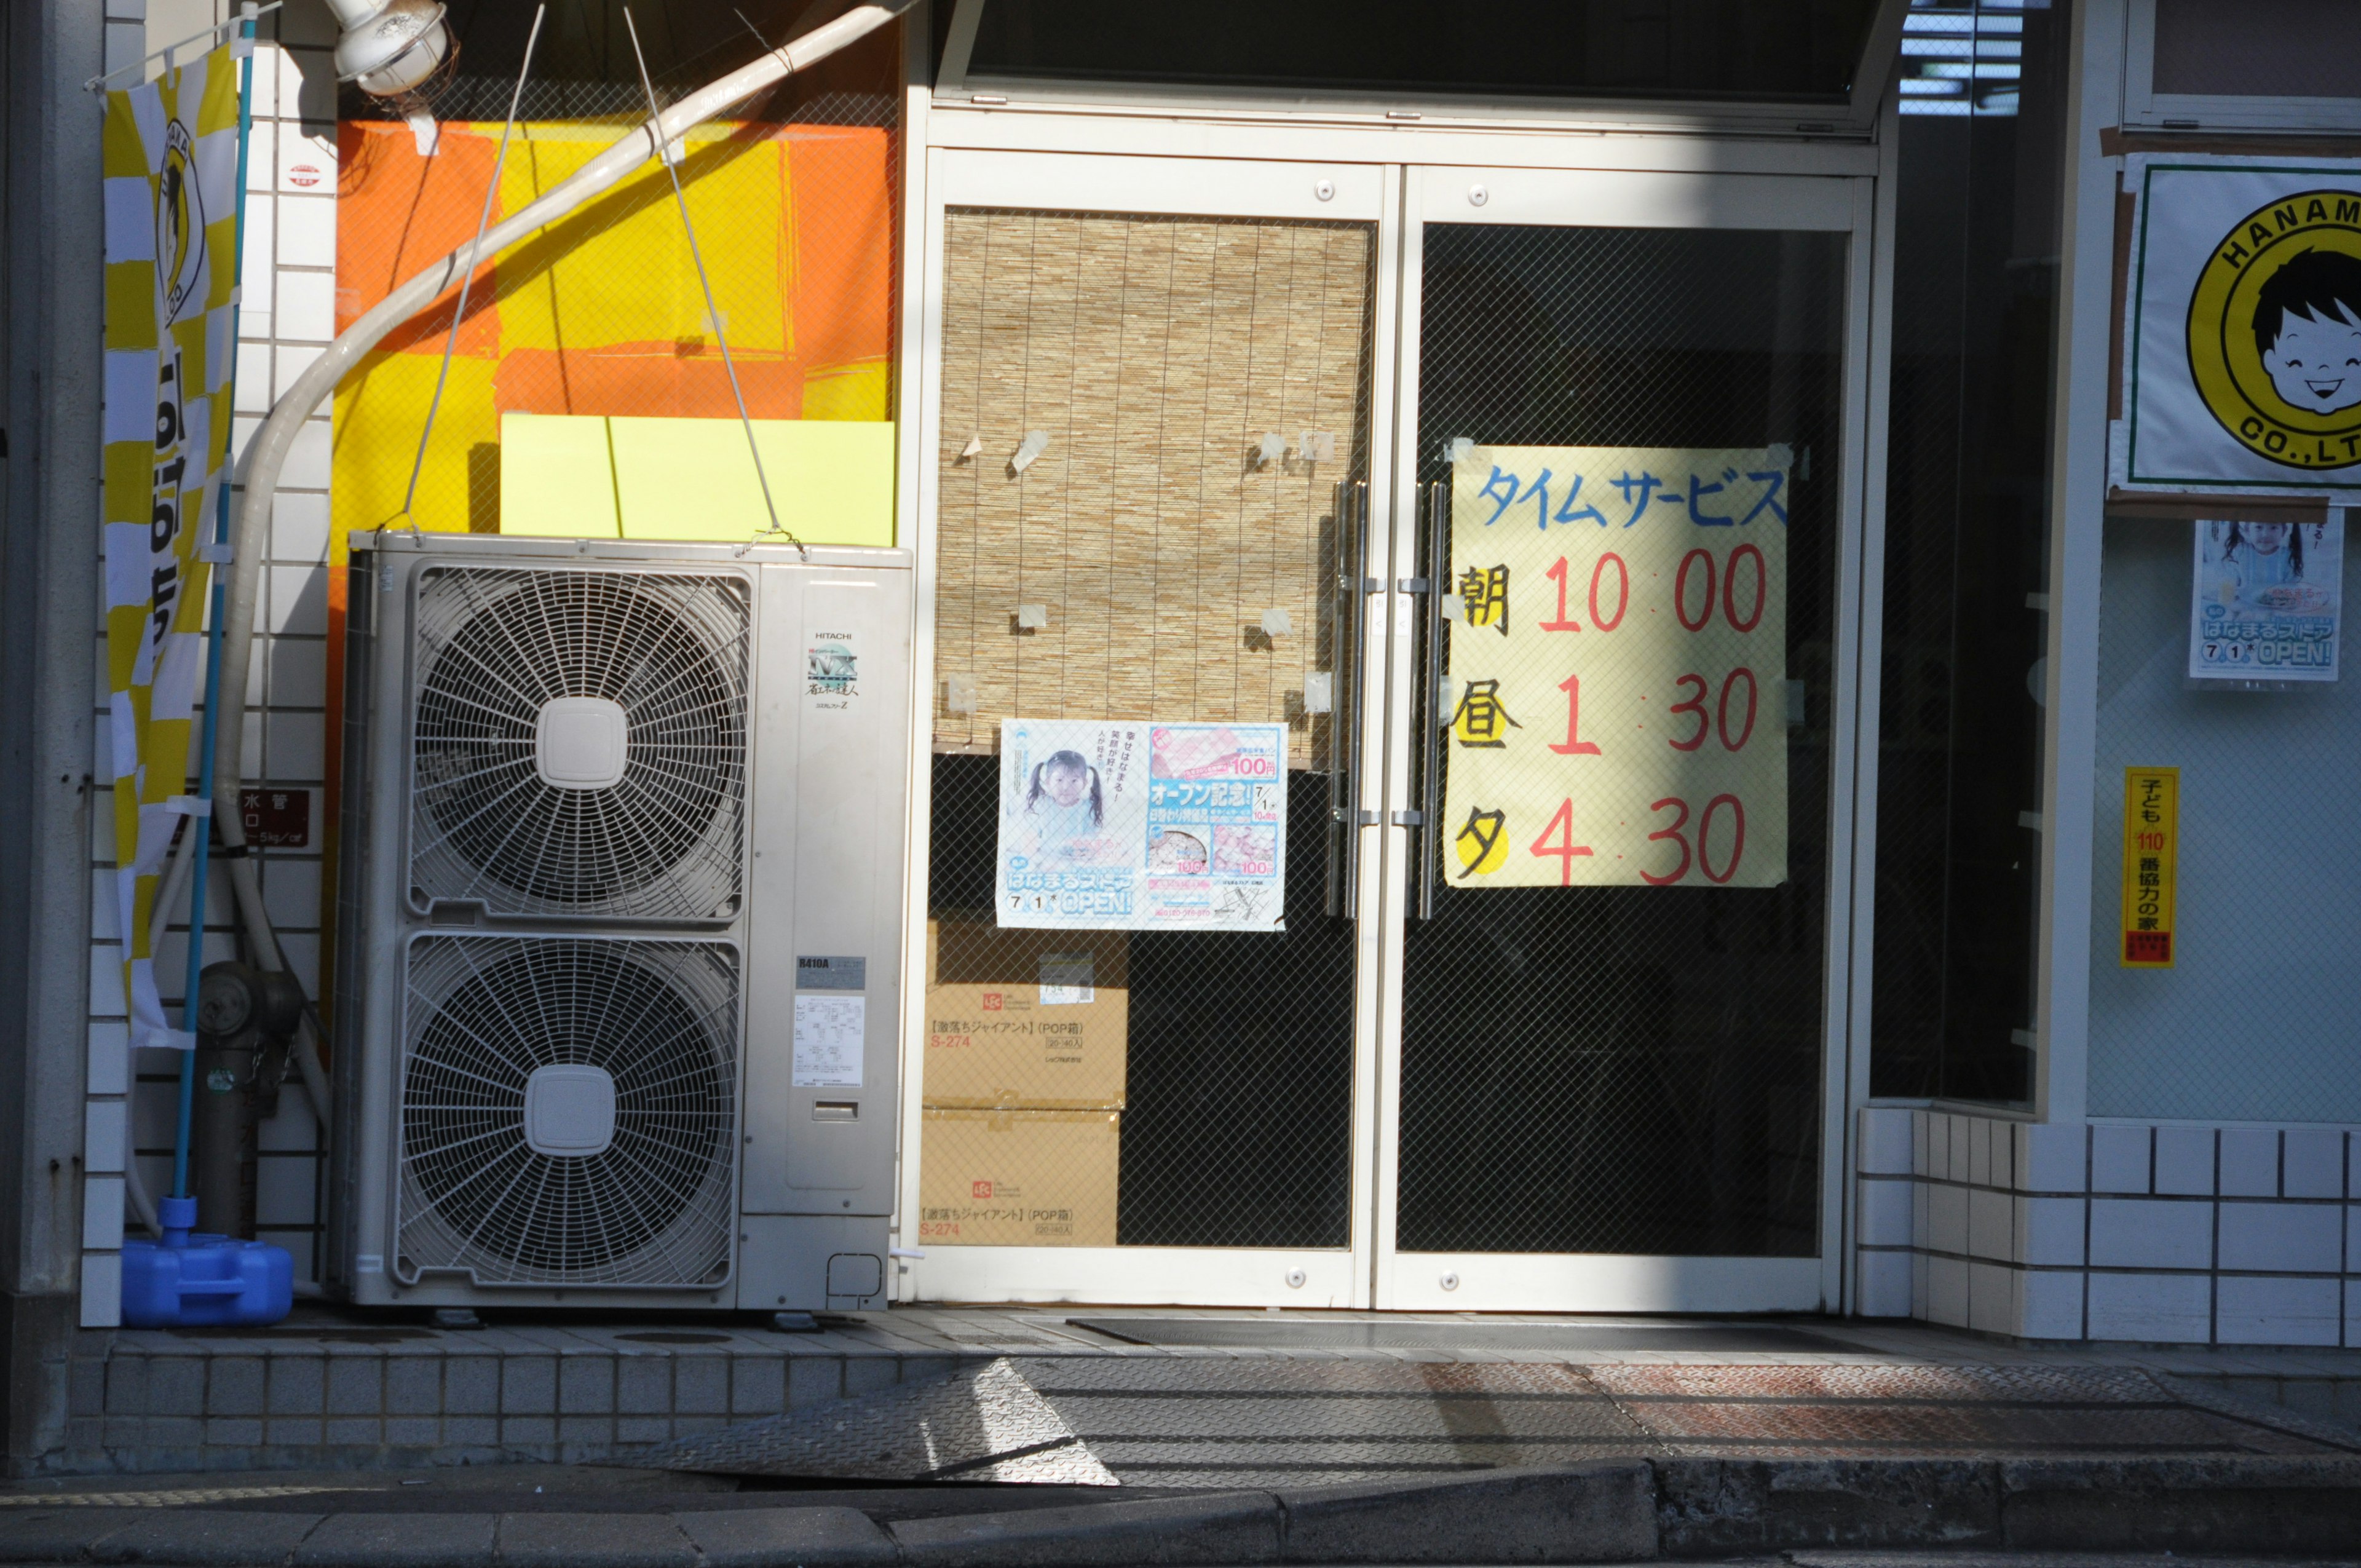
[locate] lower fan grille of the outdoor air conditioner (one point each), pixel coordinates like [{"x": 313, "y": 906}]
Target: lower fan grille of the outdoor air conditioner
[{"x": 488, "y": 1191}]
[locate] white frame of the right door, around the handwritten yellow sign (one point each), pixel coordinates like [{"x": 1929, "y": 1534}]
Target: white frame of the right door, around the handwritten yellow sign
[{"x": 1626, "y": 1283}]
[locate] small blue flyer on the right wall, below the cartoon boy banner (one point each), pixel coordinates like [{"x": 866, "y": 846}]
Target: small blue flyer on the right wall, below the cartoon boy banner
[{"x": 2268, "y": 601}]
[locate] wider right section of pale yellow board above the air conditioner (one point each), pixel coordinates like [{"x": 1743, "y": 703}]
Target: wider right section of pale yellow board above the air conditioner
[{"x": 832, "y": 481}]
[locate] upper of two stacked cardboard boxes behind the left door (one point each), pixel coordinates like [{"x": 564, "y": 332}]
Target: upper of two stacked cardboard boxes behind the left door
[{"x": 1026, "y": 1019}]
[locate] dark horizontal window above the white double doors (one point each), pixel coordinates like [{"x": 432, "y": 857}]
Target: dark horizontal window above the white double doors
[{"x": 1533, "y": 48}]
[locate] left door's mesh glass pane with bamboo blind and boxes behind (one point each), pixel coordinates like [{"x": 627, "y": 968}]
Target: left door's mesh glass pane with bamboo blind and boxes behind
[{"x": 1144, "y": 431}]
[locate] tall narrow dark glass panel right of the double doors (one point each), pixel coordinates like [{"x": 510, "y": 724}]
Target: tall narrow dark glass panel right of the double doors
[{"x": 1968, "y": 547}]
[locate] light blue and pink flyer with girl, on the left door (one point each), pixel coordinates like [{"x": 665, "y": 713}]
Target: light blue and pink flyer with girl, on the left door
[{"x": 1132, "y": 825}]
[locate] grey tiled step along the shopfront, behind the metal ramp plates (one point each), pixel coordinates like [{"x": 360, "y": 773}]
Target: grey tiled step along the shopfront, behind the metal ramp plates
[{"x": 334, "y": 1390}]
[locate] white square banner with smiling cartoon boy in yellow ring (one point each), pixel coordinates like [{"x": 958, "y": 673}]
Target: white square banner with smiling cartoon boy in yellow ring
[{"x": 2244, "y": 327}]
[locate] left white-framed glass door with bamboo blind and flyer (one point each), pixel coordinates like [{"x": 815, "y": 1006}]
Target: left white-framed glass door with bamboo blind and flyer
[{"x": 1146, "y": 1059}]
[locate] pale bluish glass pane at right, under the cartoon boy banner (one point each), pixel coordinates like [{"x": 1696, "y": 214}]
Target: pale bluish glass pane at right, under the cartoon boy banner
[{"x": 2254, "y": 1019}]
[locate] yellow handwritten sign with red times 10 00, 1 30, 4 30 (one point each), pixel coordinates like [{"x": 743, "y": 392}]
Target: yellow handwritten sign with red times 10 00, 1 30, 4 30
[{"x": 1618, "y": 669}]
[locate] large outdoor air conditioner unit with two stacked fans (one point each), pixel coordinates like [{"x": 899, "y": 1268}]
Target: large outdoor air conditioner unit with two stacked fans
[{"x": 620, "y": 927}]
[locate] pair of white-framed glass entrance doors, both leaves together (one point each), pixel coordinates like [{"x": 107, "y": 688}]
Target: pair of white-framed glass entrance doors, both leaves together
[{"x": 1538, "y": 1000}]
